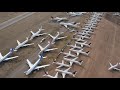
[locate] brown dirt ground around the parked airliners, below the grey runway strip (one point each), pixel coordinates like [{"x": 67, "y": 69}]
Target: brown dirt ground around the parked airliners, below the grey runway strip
[{"x": 104, "y": 48}]
